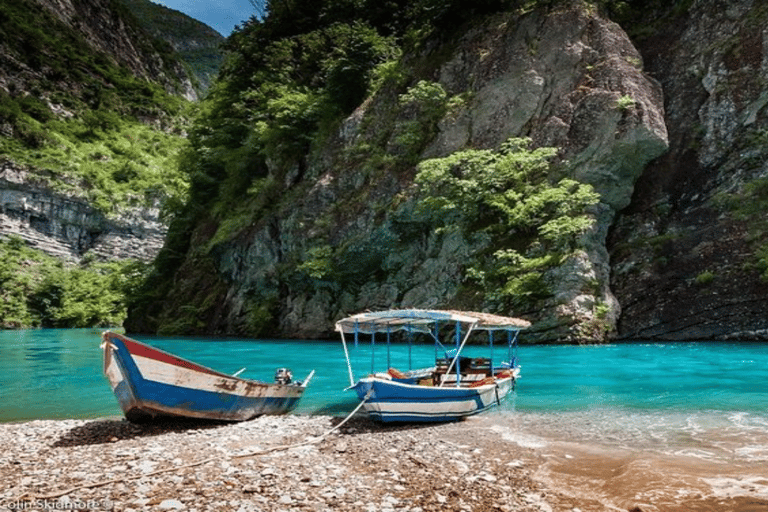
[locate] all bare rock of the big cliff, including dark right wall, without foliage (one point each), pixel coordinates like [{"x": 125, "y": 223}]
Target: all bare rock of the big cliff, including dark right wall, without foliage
[{"x": 669, "y": 129}]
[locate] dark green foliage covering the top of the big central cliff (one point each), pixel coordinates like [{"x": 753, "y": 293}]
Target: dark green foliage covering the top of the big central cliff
[{"x": 294, "y": 74}]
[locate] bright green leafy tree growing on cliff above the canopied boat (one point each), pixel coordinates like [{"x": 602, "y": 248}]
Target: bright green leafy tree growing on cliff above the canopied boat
[{"x": 508, "y": 194}]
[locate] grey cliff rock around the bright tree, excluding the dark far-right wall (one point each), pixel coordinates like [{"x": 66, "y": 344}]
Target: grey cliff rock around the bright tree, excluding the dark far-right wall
[{"x": 568, "y": 79}]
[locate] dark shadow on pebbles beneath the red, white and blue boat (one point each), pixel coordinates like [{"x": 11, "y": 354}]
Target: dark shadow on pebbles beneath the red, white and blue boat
[{"x": 110, "y": 431}]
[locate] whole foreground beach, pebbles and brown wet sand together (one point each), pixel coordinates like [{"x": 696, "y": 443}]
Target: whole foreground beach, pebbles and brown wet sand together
[{"x": 300, "y": 463}]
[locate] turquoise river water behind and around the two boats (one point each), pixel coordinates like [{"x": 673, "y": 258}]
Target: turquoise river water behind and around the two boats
[{"x": 57, "y": 374}]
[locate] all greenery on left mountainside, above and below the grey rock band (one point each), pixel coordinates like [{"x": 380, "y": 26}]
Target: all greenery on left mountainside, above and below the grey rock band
[{"x": 83, "y": 124}]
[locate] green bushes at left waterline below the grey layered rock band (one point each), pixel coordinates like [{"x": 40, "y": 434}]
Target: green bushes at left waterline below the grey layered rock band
[{"x": 37, "y": 290}]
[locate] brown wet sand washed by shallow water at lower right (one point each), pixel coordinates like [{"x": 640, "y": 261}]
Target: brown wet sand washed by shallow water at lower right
[{"x": 698, "y": 476}]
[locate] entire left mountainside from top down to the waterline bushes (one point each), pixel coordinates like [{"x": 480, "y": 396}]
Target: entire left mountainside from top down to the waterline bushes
[{"x": 92, "y": 116}]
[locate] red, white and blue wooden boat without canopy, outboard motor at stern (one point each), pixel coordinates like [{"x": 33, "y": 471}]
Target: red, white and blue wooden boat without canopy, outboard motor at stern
[{"x": 150, "y": 383}]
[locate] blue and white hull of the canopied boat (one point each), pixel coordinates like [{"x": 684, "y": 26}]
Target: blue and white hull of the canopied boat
[{"x": 392, "y": 401}]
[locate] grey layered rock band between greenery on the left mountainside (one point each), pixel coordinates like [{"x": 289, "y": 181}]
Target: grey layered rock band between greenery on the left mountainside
[{"x": 68, "y": 227}]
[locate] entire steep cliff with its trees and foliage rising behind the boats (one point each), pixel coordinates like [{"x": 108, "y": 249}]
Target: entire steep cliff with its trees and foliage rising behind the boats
[{"x": 385, "y": 176}]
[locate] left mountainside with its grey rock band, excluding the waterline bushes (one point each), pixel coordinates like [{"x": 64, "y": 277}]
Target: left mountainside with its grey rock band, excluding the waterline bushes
[{"x": 88, "y": 108}]
